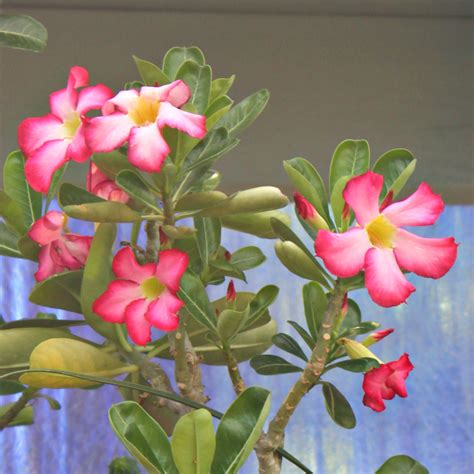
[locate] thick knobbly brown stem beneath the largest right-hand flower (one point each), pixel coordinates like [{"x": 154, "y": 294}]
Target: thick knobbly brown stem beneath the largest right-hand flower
[{"x": 266, "y": 447}]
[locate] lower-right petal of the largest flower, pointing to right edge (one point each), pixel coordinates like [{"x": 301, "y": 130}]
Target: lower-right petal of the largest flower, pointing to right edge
[{"x": 431, "y": 258}]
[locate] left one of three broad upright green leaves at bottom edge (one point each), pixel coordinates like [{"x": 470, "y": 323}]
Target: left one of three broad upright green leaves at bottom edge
[{"x": 143, "y": 437}]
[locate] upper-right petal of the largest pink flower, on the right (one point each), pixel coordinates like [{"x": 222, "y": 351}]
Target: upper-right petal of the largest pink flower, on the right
[{"x": 423, "y": 207}]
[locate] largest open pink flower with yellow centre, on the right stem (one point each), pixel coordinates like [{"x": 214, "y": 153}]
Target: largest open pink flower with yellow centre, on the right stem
[{"x": 381, "y": 247}]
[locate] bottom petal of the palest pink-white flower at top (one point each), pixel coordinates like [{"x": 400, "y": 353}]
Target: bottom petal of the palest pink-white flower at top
[{"x": 147, "y": 148}]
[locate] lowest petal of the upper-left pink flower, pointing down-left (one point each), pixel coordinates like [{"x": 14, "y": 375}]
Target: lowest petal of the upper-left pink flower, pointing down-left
[{"x": 42, "y": 164}]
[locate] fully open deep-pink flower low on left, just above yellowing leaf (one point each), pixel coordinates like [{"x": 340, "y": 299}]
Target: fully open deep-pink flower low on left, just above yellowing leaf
[{"x": 144, "y": 295}]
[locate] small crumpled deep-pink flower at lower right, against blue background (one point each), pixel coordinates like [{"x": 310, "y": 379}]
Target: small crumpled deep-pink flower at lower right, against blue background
[{"x": 386, "y": 381}]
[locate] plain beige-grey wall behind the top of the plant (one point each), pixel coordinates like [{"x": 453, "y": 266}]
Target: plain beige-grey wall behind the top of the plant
[{"x": 395, "y": 81}]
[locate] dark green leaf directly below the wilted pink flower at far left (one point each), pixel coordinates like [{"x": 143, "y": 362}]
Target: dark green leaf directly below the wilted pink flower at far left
[{"x": 60, "y": 291}]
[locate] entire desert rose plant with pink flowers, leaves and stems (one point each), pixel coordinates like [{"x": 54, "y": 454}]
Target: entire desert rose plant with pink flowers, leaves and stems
[{"x": 149, "y": 152}]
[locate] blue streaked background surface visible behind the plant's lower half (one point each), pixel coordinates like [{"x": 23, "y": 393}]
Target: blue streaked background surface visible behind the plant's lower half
[{"x": 434, "y": 424}]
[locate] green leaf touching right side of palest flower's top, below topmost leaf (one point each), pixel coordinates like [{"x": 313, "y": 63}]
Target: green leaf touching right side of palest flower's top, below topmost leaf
[{"x": 198, "y": 79}]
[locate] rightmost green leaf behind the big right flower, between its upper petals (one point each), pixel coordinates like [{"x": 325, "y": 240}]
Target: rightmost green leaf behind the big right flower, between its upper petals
[{"x": 396, "y": 166}]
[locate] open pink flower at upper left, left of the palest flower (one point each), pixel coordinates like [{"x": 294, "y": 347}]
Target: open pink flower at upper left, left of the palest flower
[{"x": 50, "y": 141}]
